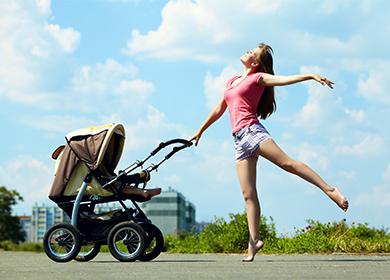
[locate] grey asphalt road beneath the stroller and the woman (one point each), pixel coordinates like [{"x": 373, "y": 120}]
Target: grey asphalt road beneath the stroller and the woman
[{"x": 26, "y": 265}]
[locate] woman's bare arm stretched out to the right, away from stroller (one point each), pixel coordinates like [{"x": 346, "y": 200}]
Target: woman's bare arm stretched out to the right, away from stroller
[{"x": 272, "y": 80}]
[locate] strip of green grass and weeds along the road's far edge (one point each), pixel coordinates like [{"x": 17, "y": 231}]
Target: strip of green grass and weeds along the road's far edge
[{"x": 232, "y": 237}]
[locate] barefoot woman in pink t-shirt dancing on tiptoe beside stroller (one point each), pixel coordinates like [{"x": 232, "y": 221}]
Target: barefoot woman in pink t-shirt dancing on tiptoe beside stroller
[{"x": 249, "y": 97}]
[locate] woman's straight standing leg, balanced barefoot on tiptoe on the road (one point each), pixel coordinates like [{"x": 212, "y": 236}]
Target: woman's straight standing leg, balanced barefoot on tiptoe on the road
[{"x": 246, "y": 171}]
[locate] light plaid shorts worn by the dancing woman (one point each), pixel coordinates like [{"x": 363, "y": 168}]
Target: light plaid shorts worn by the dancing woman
[{"x": 248, "y": 139}]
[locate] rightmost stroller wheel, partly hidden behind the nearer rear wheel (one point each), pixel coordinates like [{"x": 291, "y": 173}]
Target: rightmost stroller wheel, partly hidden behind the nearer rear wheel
[{"x": 154, "y": 242}]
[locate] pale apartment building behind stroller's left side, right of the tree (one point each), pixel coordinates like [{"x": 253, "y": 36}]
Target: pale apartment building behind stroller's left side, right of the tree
[{"x": 42, "y": 218}]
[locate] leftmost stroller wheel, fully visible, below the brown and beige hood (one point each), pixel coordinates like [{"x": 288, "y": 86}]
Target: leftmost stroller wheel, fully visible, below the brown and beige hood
[{"x": 62, "y": 242}]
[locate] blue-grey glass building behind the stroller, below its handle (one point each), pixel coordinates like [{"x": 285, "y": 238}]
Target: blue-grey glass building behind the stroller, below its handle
[{"x": 170, "y": 212}]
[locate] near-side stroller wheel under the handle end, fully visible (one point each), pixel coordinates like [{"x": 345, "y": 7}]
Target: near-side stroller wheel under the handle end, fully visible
[{"x": 126, "y": 241}]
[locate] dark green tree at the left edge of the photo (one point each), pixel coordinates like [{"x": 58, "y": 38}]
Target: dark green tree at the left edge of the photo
[{"x": 10, "y": 227}]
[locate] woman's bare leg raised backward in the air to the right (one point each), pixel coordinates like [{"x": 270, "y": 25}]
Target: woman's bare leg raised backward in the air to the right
[{"x": 271, "y": 151}]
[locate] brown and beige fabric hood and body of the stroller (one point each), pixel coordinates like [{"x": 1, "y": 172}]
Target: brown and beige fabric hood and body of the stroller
[{"x": 95, "y": 148}]
